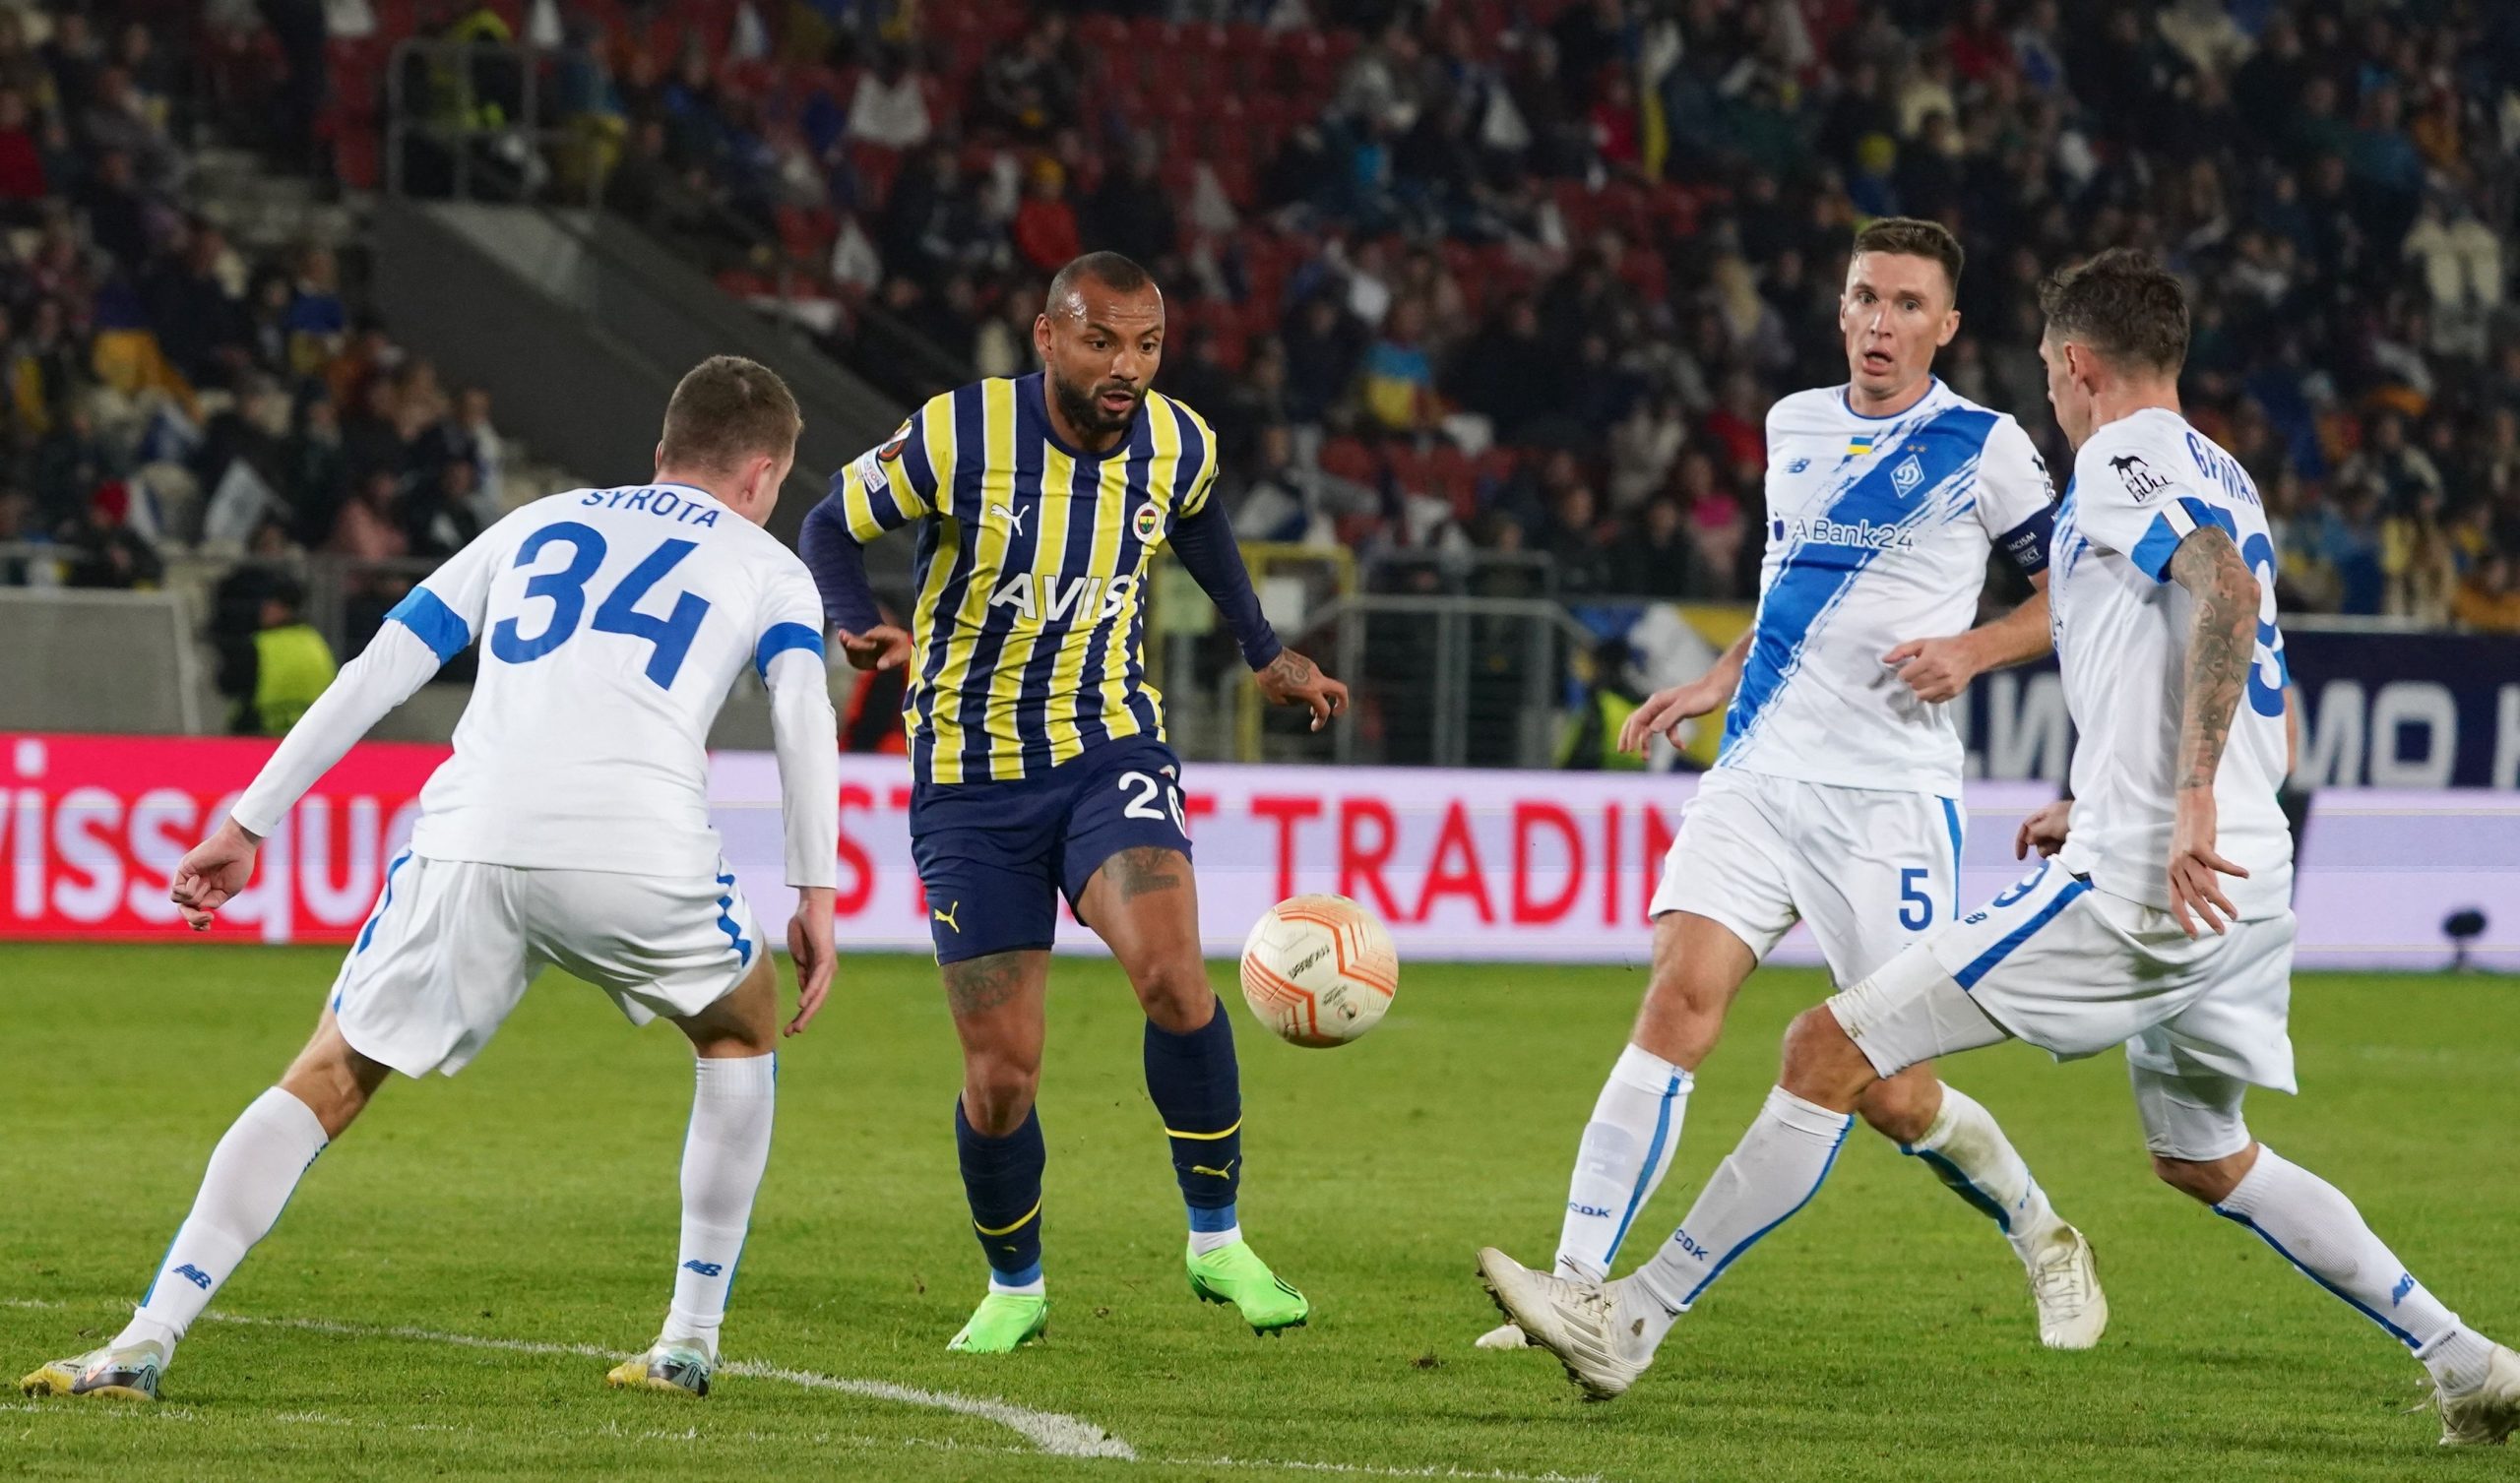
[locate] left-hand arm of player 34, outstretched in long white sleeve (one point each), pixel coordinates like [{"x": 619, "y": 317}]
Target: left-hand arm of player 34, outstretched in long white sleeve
[{"x": 432, "y": 626}]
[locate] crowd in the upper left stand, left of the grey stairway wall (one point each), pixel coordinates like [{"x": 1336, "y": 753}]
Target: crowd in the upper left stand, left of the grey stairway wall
[{"x": 165, "y": 389}]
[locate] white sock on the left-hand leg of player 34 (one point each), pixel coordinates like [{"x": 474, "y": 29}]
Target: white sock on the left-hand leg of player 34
[{"x": 246, "y": 1187}]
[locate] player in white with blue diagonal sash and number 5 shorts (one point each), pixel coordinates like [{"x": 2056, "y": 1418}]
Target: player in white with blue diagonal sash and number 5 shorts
[{"x": 1836, "y": 797}]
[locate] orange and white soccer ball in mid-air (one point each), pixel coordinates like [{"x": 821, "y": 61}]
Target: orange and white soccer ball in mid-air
[{"x": 1319, "y": 971}]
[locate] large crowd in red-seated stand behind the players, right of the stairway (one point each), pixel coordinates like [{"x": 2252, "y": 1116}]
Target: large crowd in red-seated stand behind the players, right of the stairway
[{"x": 1483, "y": 276}]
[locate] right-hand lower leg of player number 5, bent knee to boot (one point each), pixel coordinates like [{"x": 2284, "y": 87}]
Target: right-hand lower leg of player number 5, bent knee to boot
[{"x": 1962, "y": 1144}]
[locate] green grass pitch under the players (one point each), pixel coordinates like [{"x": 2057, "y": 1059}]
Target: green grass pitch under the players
[{"x": 1884, "y": 1333}]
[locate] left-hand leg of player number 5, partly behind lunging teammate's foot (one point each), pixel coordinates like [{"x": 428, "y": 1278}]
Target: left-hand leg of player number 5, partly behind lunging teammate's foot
[{"x": 1637, "y": 1122}]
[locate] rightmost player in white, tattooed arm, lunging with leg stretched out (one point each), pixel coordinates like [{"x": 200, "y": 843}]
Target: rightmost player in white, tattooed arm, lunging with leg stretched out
[{"x": 2156, "y": 920}]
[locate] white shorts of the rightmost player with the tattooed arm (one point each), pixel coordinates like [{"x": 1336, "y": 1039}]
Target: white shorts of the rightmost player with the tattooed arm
[{"x": 2078, "y": 971}]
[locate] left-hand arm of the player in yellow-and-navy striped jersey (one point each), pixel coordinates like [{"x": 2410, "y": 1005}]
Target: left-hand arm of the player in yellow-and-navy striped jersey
[{"x": 878, "y": 492}]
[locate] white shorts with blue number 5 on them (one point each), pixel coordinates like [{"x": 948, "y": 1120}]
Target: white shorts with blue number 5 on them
[{"x": 1871, "y": 870}]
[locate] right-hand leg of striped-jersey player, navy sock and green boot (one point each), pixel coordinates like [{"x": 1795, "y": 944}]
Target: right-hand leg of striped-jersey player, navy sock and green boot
[{"x": 1143, "y": 903}]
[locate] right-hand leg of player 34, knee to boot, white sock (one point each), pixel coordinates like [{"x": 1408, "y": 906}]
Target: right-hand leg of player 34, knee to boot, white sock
[{"x": 724, "y": 1152}]
